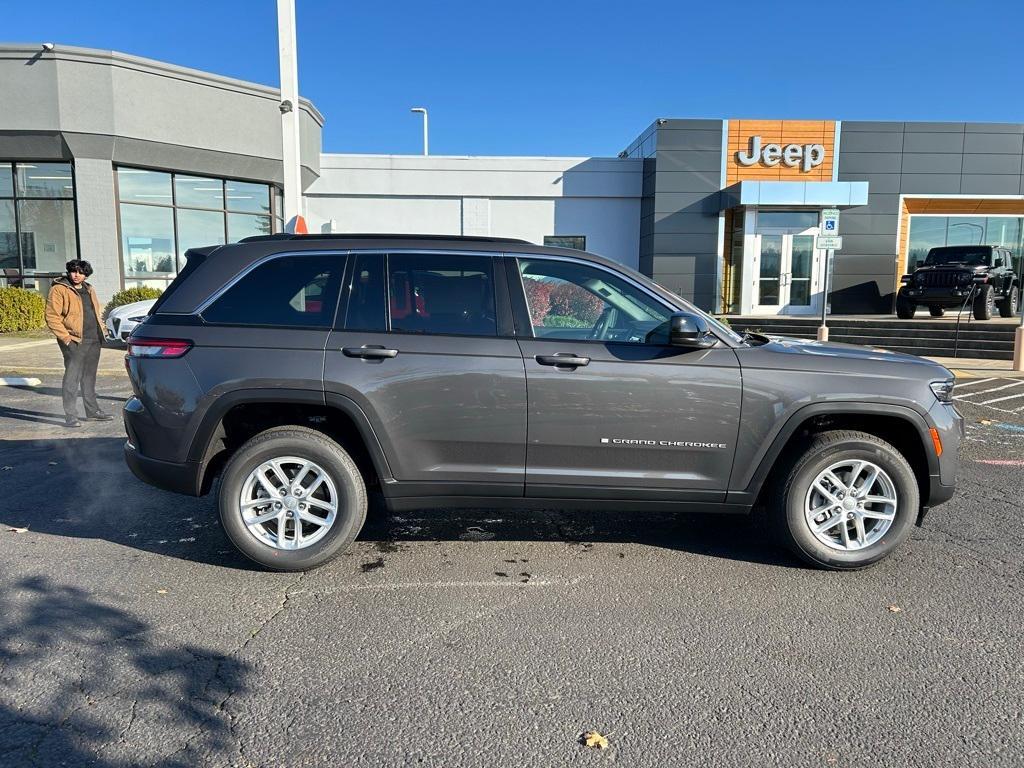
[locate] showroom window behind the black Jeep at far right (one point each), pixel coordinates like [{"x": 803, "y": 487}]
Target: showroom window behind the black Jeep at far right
[{"x": 934, "y": 232}]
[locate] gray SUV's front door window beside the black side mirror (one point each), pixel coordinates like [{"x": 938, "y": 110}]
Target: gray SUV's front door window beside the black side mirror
[{"x": 568, "y": 301}]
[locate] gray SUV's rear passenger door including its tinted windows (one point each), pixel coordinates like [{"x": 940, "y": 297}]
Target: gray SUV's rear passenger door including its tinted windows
[{"x": 426, "y": 351}]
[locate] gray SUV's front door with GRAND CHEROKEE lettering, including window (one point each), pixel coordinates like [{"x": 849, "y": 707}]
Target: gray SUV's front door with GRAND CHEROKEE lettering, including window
[{"x": 614, "y": 411}]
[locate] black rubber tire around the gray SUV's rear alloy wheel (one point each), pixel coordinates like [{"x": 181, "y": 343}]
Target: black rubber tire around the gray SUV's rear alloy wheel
[{"x": 305, "y": 444}]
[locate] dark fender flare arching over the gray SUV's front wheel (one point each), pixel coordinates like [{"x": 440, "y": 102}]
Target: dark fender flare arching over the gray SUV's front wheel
[{"x": 800, "y": 417}]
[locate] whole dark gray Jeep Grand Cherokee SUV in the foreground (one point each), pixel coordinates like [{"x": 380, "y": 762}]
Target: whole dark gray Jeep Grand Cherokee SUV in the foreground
[{"x": 304, "y": 370}]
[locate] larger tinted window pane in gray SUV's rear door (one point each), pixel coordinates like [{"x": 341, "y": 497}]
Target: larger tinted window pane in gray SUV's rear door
[{"x": 442, "y": 294}]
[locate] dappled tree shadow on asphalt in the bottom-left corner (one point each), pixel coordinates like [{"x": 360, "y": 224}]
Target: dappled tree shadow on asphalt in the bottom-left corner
[{"x": 89, "y": 684}]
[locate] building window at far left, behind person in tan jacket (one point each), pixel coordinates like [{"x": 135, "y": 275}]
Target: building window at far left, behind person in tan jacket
[{"x": 38, "y": 234}]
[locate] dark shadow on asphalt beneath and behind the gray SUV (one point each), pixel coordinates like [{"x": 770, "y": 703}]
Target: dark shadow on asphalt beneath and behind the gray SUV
[{"x": 81, "y": 488}]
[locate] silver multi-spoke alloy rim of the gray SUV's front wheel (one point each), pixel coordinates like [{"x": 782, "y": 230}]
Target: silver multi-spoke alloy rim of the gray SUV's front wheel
[{"x": 850, "y": 505}]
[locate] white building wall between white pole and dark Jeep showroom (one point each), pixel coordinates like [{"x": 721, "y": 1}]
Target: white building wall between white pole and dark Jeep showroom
[{"x": 526, "y": 198}]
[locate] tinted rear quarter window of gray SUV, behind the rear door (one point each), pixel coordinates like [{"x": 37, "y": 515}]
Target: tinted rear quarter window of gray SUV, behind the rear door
[{"x": 289, "y": 291}]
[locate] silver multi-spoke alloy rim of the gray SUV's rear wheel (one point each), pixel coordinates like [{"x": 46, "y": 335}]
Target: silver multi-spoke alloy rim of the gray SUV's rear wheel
[{"x": 289, "y": 503}]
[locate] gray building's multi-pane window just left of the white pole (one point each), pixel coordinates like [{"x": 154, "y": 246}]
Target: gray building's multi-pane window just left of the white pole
[{"x": 162, "y": 216}]
